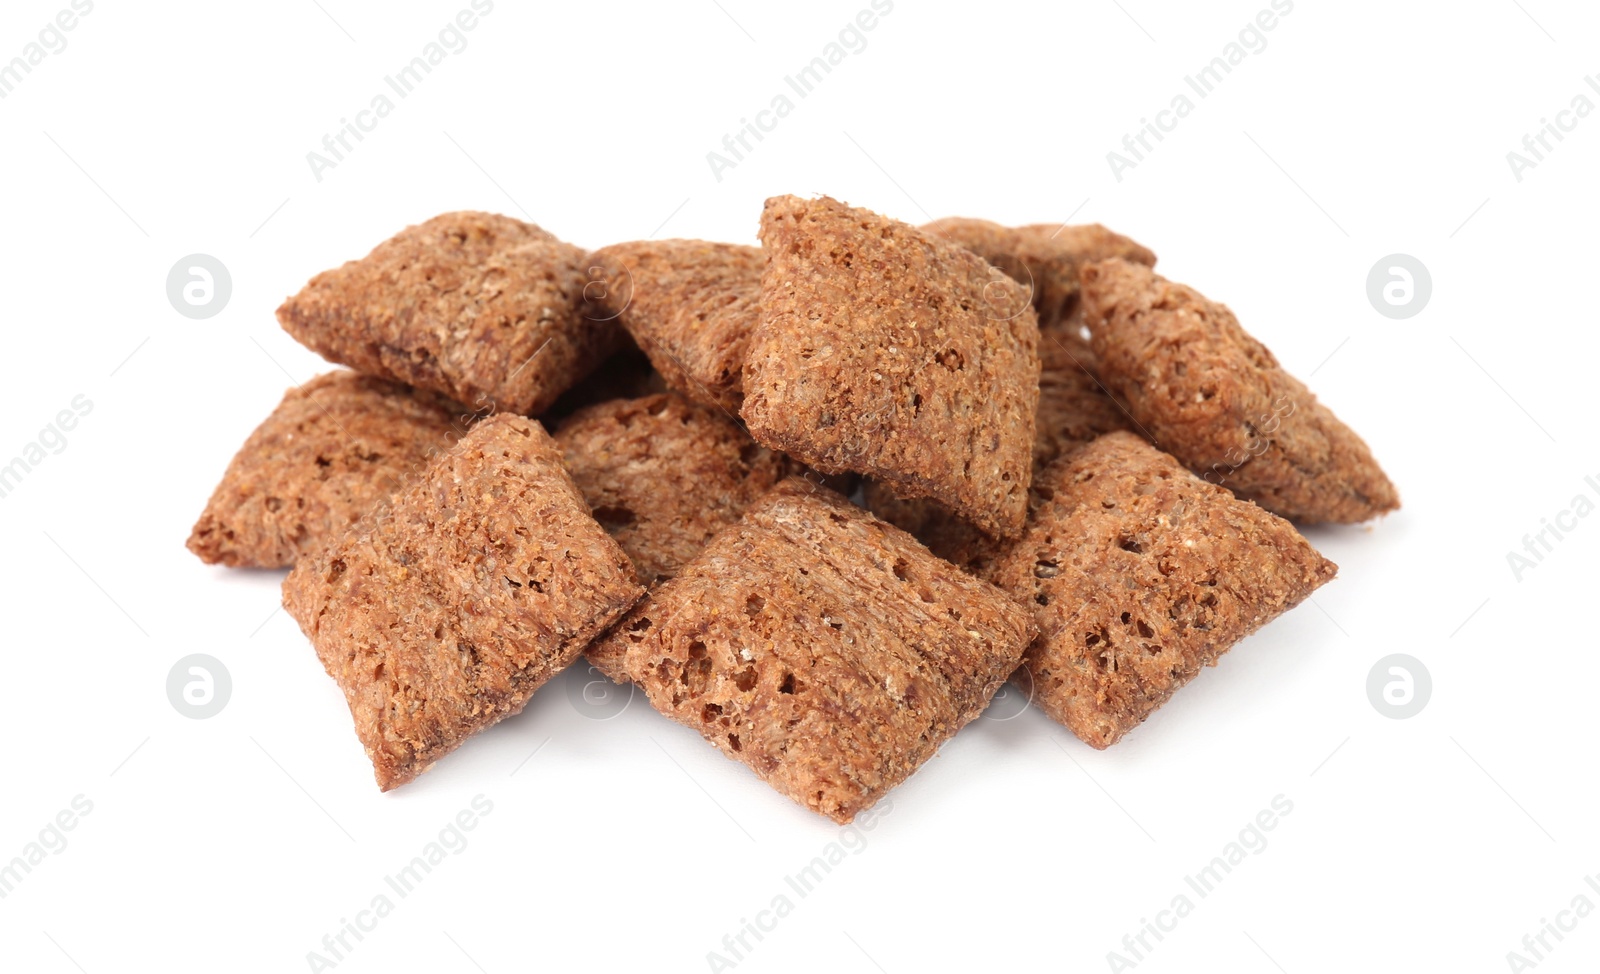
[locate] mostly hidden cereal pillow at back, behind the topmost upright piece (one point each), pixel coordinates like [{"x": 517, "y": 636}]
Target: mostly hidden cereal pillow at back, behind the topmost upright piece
[{"x": 1046, "y": 258}]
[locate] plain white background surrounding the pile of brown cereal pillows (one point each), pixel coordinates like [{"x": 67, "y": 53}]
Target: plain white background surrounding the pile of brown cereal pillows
[{"x": 1364, "y": 129}]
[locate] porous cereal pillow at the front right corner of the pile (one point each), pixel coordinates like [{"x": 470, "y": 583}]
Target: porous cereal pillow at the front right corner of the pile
[{"x": 1140, "y": 573}]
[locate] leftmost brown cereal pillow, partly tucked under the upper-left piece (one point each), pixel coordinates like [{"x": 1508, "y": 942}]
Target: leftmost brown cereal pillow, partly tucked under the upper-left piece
[{"x": 334, "y": 450}]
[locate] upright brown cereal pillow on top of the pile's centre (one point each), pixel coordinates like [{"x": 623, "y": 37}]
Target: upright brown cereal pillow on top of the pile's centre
[{"x": 898, "y": 356}]
